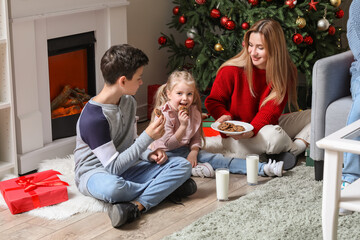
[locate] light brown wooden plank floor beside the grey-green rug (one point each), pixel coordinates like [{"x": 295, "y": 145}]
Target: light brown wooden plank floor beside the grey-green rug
[{"x": 160, "y": 221}]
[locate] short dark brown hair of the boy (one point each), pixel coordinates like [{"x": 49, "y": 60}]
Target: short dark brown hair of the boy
[{"x": 121, "y": 60}]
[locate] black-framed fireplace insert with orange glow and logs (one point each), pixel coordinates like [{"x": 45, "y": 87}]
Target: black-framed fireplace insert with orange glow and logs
[{"x": 71, "y": 80}]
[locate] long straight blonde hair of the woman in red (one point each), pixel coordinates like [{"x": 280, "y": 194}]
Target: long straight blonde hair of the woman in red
[{"x": 281, "y": 72}]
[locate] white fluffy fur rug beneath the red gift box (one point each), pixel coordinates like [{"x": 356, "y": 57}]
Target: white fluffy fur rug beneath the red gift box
[{"x": 77, "y": 202}]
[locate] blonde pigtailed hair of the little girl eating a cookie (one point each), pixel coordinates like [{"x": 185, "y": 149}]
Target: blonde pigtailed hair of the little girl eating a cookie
[{"x": 176, "y": 77}]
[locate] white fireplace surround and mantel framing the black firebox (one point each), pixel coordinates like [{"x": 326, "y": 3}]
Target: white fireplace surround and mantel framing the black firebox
[{"x": 33, "y": 22}]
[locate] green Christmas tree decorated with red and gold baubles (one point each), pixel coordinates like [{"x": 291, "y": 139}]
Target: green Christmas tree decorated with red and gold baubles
[{"x": 215, "y": 31}]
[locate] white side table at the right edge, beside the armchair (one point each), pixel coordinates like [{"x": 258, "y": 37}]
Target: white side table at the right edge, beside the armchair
[{"x": 335, "y": 145}]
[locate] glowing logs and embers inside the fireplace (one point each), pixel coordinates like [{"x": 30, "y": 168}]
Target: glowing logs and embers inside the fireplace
[{"x": 70, "y": 101}]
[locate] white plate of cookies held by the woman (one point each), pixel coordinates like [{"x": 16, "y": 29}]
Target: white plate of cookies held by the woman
[{"x": 232, "y": 127}]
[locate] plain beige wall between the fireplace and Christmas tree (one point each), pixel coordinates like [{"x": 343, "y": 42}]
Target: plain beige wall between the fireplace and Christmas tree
[{"x": 146, "y": 19}]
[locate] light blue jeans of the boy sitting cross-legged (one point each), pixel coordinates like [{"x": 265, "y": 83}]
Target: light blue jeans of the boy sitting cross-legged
[{"x": 147, "y": 182}]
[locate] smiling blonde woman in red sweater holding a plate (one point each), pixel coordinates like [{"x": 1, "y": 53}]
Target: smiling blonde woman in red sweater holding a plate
[{"x": 254, "y": 86}]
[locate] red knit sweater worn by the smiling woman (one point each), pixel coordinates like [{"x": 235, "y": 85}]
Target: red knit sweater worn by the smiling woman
[{"x": 230, "y": 95}]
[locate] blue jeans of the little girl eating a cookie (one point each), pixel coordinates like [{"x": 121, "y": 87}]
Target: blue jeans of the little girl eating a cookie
[{"x": 216, "y": 160}]
